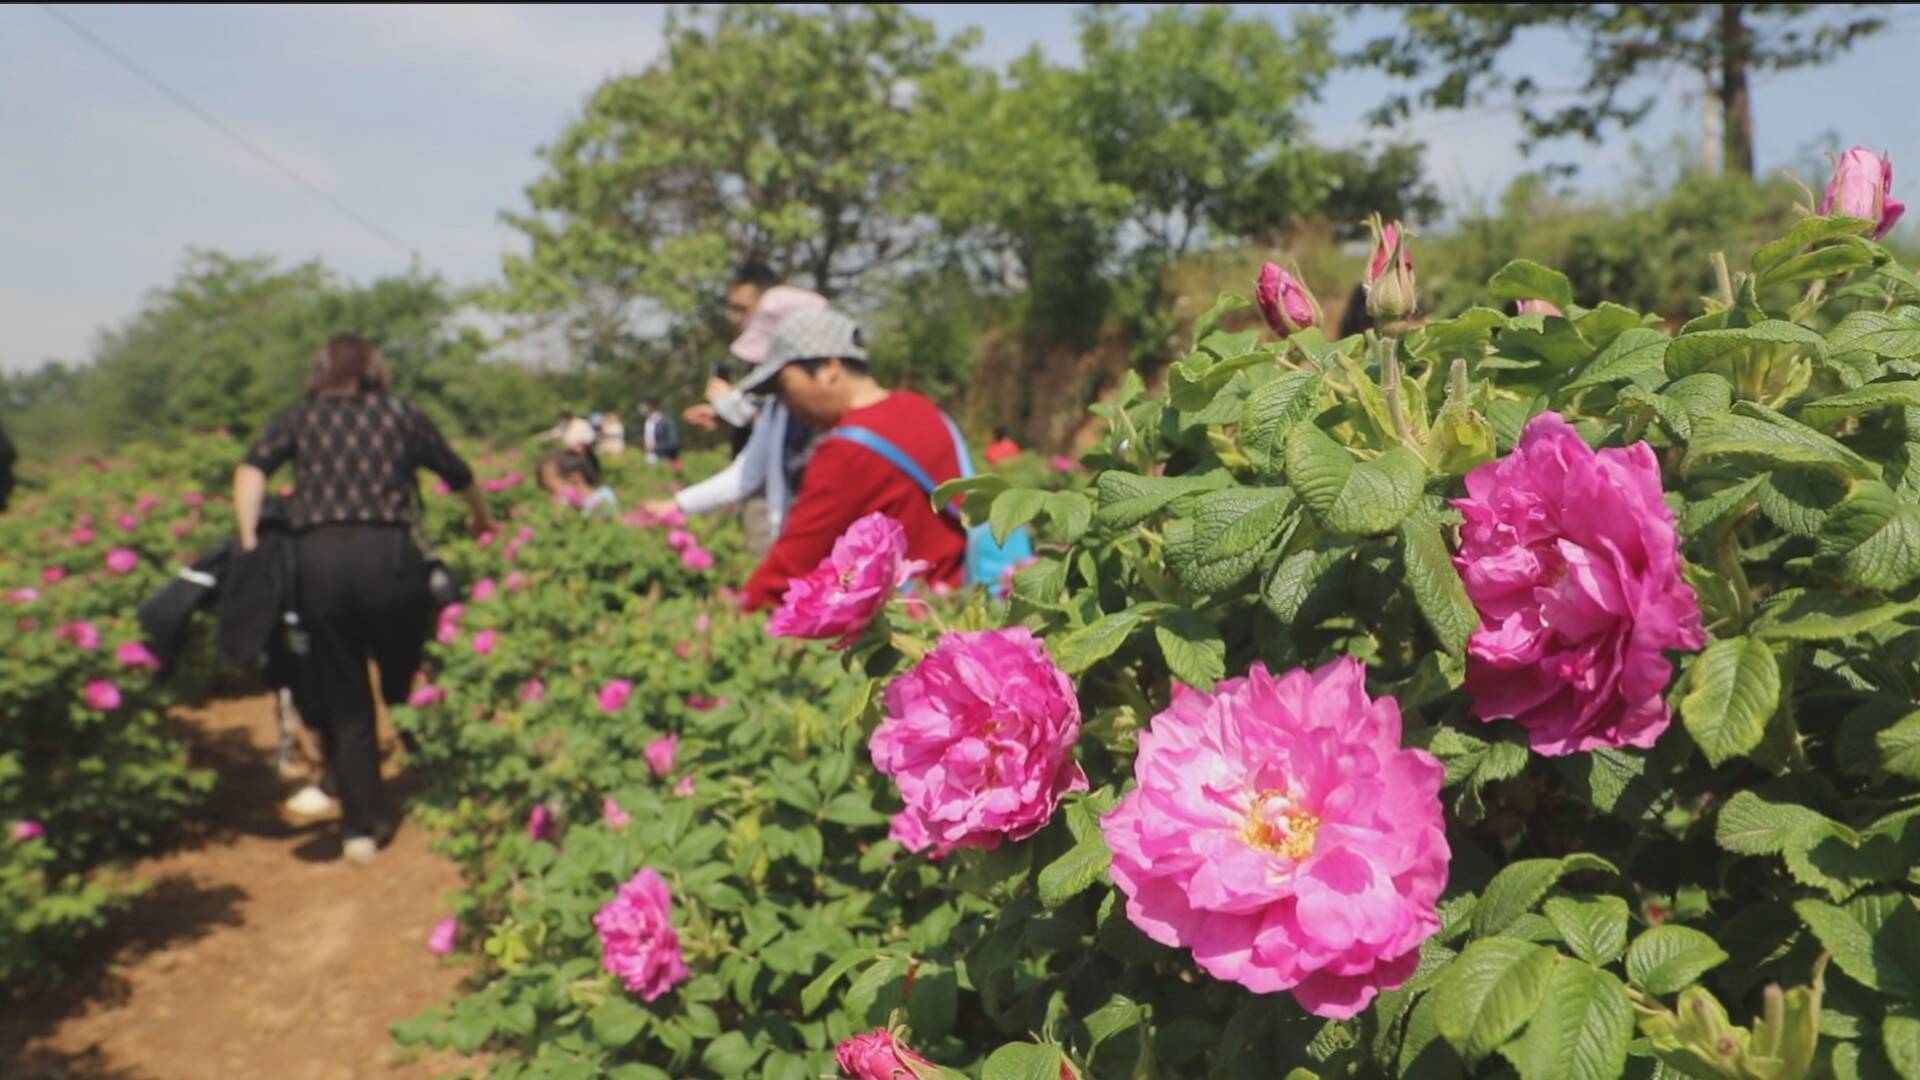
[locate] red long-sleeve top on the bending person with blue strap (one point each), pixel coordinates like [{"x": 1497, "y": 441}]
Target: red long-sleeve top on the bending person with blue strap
[{"x": 848, "y": 481}]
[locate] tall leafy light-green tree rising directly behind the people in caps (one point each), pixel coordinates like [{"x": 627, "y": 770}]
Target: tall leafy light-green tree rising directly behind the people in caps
[{"x": 759, "y": 134}]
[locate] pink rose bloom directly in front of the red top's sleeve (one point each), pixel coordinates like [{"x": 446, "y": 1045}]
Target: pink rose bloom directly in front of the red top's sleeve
[{"x": 850, "y": 587}]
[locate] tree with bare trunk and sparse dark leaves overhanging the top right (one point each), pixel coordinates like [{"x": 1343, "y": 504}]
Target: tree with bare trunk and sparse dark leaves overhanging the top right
[{"x": 1452, "y": 49}]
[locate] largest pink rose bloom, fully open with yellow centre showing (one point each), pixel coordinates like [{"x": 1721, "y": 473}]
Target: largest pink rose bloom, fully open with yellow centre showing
[{"x": 1284, "y": 835}]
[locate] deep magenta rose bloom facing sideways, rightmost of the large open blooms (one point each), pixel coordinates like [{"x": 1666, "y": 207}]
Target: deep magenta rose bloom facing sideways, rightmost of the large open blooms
[{"x": 1573, "y": 560}]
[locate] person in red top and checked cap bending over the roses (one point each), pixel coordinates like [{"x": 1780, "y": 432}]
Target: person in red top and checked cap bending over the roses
[{"x": 819, "y": 368}]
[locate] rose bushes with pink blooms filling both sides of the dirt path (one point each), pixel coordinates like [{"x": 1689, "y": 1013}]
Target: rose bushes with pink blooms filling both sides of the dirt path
[{"x": 1506, "y": 695}]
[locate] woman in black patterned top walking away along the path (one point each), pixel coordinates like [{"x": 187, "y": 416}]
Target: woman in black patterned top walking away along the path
[{"x": 362, "y": 579}]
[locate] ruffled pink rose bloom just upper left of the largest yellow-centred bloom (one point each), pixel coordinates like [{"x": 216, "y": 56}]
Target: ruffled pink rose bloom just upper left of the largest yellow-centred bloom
[{"x": 980, "y": 739}]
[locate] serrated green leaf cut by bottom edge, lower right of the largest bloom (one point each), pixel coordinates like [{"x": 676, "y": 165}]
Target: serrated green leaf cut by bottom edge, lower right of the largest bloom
[{"x": 1581, "y": 1031}]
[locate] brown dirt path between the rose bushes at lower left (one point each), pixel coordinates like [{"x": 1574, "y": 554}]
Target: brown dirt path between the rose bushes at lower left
[{"x": 258, "y": 952}]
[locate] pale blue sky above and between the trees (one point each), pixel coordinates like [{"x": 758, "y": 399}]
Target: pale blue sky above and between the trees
[{"x": 425, "y": 120}]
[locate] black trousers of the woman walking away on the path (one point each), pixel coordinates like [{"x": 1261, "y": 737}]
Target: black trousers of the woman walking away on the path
[{"x": 362, "y": 595}]
